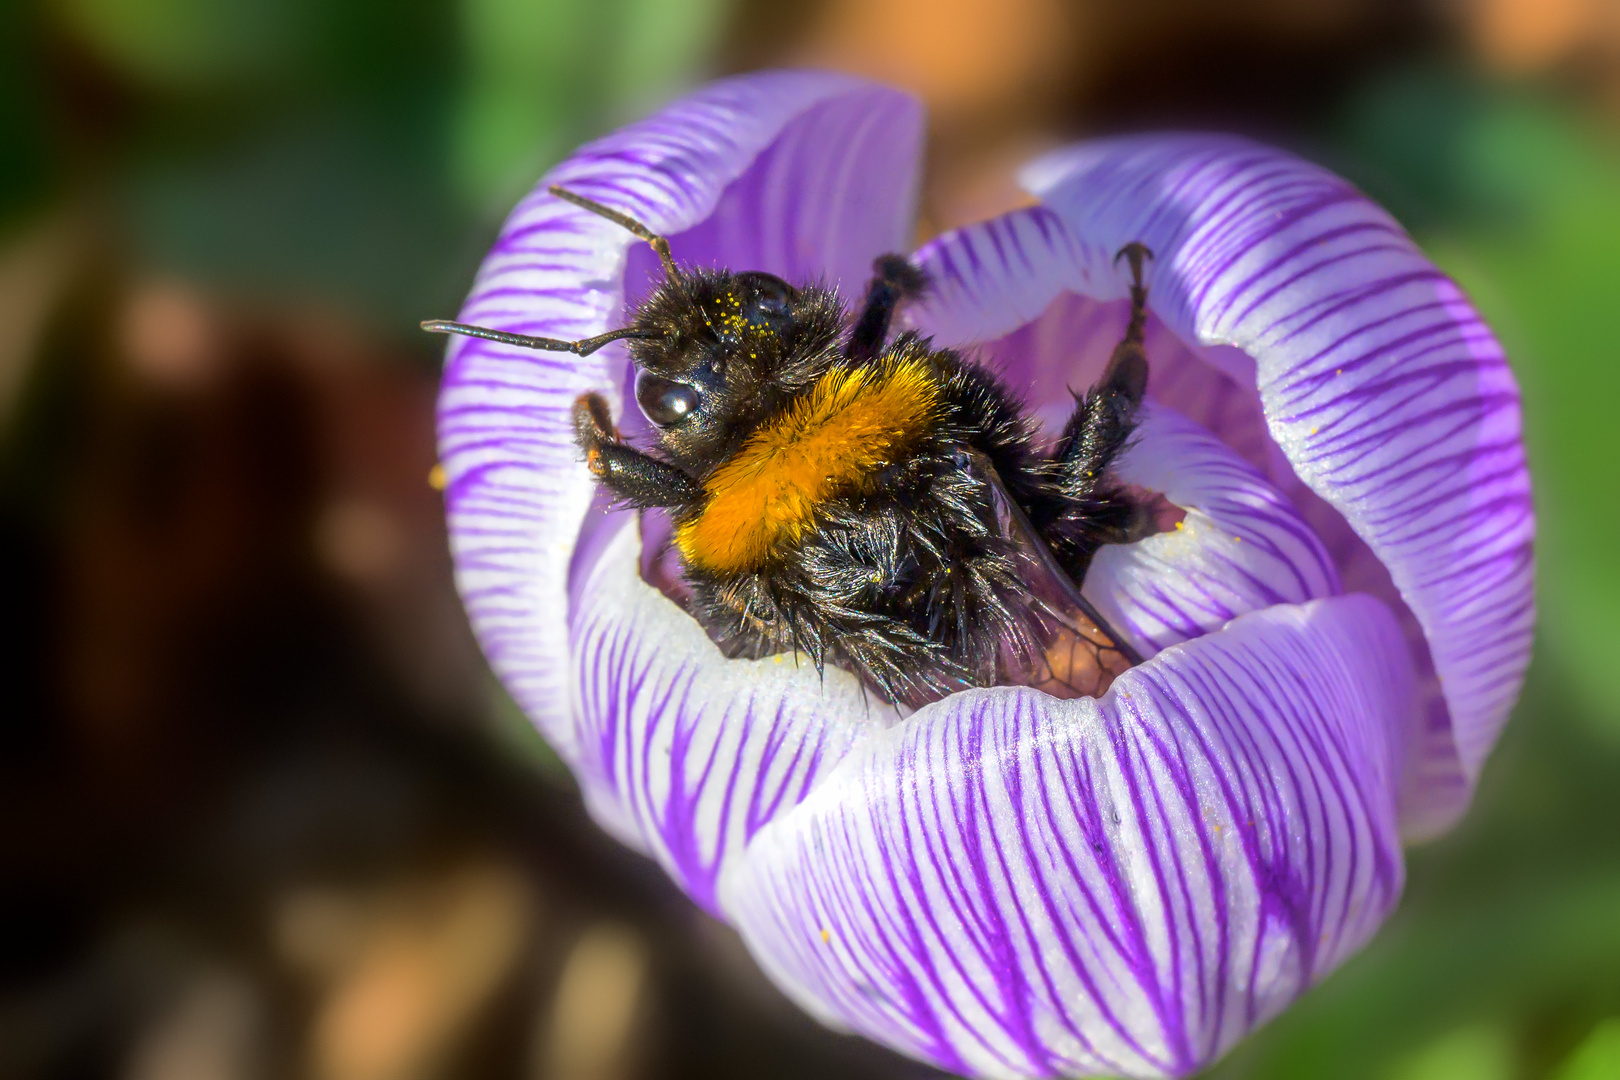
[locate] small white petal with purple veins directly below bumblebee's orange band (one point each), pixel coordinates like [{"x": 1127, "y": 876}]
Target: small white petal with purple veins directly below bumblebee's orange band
[{"x": 680, "y": 749}]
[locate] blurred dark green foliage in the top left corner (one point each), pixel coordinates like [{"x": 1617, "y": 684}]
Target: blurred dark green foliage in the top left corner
[{"x": 356, "y": 156}]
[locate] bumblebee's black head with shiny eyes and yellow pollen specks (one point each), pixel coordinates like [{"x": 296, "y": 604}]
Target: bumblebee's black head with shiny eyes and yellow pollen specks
[{"x": 718, "y": 352}]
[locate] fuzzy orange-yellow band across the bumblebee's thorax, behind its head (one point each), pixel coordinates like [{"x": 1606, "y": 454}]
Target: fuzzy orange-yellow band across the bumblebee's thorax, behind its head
[{"x": 829, "y": 441}]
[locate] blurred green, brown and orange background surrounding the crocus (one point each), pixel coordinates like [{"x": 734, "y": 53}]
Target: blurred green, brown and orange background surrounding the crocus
[{"x": 265, "y": 814}]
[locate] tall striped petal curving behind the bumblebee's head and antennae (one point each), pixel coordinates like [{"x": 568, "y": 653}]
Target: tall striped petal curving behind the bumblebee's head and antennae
[{"x": 790, "y": 172}]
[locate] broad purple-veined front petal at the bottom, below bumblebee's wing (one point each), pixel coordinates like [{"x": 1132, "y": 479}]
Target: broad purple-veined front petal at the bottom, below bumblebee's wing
[{"x": 1017, "y": 887}]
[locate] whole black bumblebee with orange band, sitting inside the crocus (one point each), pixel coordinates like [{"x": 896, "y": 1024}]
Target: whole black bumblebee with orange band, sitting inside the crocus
[{"x": 877, "y": 504}]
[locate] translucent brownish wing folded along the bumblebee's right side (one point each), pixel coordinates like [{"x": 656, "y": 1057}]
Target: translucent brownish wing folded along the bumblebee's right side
[{"x": 1073, "y": 652}]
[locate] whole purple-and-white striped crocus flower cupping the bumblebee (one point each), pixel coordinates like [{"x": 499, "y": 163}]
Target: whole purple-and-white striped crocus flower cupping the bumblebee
[{"x": 1002, "y": 883}]
